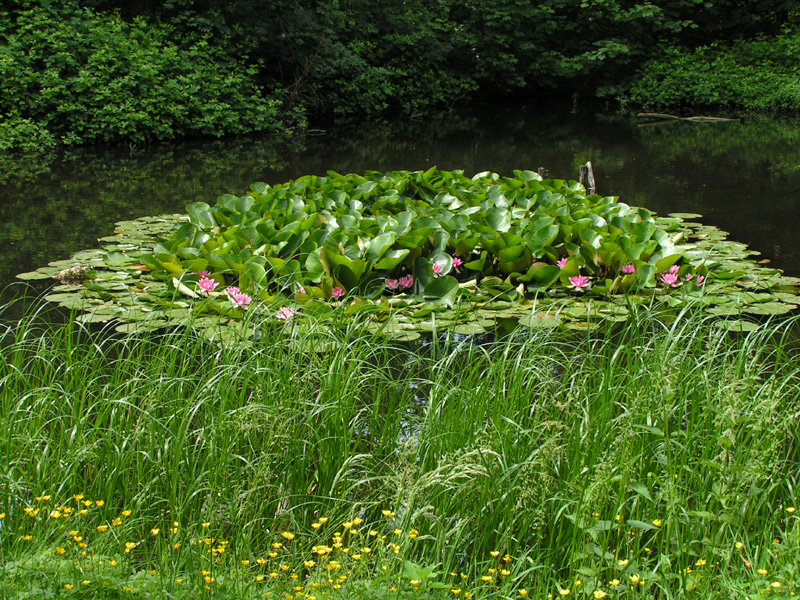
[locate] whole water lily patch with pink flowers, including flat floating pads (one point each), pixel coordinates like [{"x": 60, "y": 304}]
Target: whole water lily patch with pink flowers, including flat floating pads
[{"x": 403, "y": 245}]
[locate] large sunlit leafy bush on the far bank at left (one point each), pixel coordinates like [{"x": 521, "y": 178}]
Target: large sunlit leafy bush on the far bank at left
[{"x": 75, "y": 76}]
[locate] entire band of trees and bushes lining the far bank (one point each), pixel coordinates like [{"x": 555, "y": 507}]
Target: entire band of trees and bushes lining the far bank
[{"x": 106, "y": 70}]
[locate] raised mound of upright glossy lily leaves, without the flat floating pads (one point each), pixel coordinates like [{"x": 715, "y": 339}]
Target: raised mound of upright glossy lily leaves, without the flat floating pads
[{"x": 421, "y": 233}]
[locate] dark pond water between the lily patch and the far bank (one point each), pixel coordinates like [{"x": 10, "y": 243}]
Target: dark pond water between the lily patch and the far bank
[{"x": 744, "y": 177}]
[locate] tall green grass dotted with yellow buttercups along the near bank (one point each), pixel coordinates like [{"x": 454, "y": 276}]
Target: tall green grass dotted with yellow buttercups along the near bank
[{"x": 660, "y": 461}]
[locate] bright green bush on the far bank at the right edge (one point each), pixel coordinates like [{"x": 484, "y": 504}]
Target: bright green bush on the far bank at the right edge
[{"x": 760, "y": 74}]
